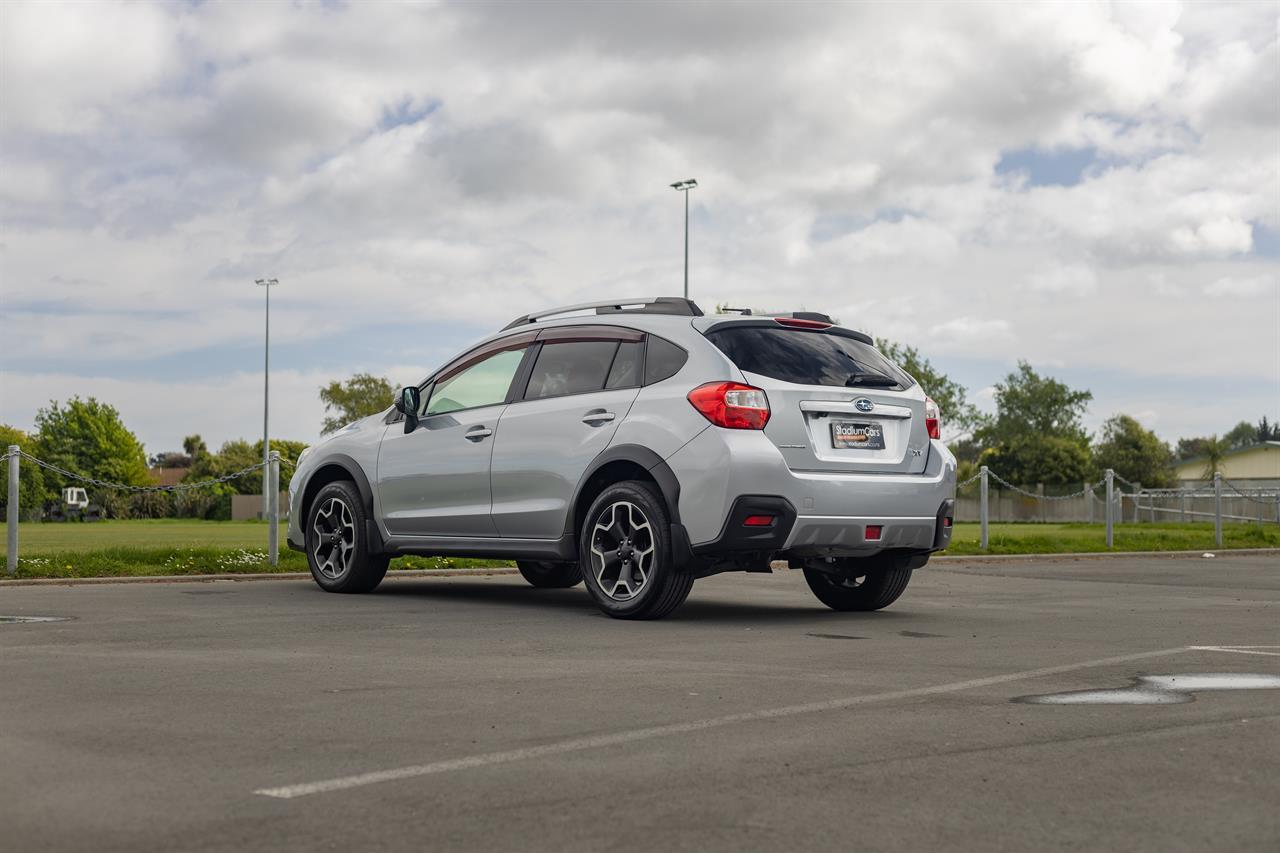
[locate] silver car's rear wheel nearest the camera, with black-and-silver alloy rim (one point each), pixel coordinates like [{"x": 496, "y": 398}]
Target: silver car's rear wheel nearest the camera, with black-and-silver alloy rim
[{"x": 643, "y": 582}]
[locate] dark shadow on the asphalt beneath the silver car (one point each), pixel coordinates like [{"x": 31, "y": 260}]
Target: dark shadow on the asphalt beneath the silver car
[{"x": 698, "y": 609}]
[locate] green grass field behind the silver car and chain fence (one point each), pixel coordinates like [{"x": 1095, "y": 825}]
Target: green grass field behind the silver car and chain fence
[{"x": 185, "y": 548}]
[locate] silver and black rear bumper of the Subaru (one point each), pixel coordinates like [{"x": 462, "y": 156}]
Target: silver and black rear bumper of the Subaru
[{"x": 833, "y": 510}]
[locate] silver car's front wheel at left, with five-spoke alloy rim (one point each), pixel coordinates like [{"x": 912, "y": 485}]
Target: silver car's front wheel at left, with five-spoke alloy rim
[{"x": 337, "y": 544}]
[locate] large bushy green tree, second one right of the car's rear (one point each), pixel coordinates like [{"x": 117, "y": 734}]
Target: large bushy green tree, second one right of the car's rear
[{"x": 1037, "y": 436}]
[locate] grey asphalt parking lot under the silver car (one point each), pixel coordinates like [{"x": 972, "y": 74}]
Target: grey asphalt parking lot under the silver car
[{"x": 481, "y": 714}]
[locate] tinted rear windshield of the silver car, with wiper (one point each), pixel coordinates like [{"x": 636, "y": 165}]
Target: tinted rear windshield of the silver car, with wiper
[{"x": 807, "y": 358}]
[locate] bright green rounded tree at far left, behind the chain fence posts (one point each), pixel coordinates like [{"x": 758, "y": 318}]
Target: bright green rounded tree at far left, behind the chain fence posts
[{"x": 88, "y": 437}]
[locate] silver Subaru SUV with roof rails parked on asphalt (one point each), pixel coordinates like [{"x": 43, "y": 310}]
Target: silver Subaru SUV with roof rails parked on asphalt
[{"x": 637, "y": 446}]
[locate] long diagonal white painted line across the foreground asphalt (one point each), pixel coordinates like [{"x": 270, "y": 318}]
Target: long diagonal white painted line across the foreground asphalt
[{"x": 598, "y": 742}]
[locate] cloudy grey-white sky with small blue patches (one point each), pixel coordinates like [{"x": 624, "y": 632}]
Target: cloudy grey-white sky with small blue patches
[{"x": 1092, "y": 188}]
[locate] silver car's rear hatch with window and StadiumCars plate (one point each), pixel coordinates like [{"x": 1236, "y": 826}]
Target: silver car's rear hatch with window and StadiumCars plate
[{"x": 835, "y": 403}]
